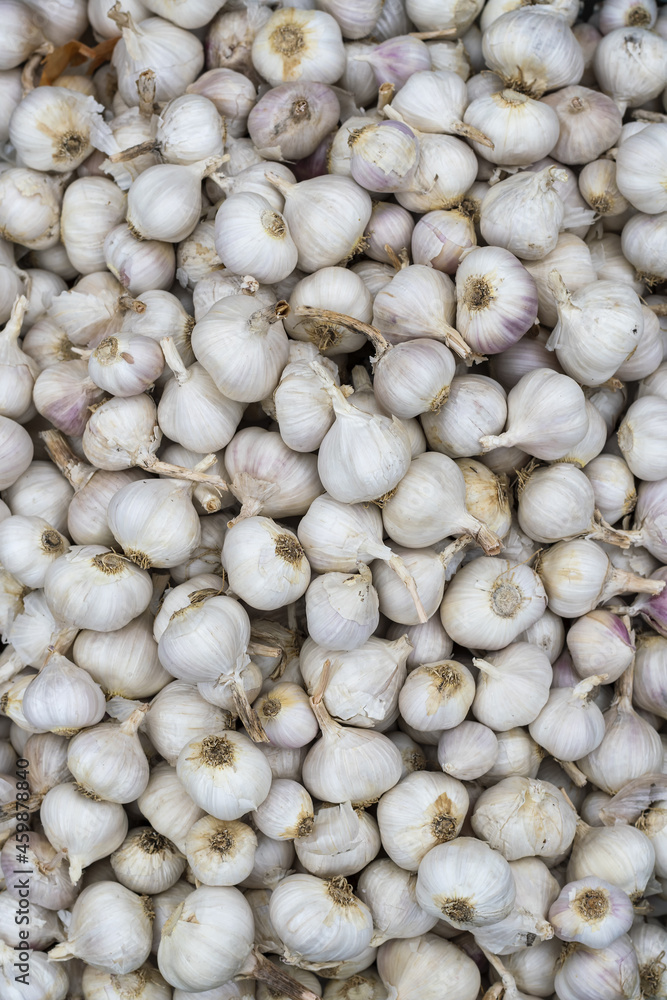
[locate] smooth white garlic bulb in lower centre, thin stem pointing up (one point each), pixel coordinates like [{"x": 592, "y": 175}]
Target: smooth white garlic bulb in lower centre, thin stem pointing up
[{"x": 349, "y": 764}]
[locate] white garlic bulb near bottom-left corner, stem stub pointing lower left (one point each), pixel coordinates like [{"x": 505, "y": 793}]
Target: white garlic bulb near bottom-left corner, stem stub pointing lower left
[{"x": 110, "y": 928}]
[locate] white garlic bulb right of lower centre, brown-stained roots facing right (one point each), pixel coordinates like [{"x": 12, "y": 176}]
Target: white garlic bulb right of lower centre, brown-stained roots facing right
[{"x": 418, "y": 813}]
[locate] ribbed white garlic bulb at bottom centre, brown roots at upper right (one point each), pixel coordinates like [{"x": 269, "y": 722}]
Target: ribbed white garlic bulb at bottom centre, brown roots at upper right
[{"x": 320, "y": 920}]
